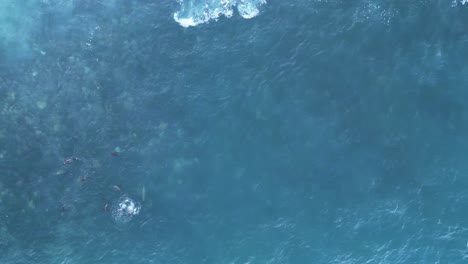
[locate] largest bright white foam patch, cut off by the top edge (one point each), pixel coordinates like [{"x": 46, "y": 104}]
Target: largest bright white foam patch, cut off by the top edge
[{"x": 195, "y": 12}]
